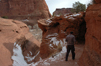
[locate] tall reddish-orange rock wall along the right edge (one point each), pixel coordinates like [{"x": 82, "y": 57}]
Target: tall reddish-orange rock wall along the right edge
[{"x": 92, "y": 52}]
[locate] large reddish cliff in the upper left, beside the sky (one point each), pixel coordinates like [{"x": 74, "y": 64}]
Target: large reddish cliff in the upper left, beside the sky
[{"x": 24, "y": 9}]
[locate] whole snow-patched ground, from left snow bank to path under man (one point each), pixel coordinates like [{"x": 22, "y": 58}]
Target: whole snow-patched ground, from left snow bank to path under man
[{"x": 56, "y": 60}]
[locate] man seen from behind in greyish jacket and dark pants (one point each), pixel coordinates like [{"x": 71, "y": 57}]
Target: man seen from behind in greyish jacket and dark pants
[{"x": 70, "y": 39}]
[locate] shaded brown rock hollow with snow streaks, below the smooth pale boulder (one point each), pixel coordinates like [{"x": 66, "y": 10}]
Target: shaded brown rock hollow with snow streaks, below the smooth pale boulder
[{"x": 29, "y": 48}]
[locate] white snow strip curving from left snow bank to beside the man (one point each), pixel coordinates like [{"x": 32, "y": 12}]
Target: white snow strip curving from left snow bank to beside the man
[{"x": 18, "y": 58}]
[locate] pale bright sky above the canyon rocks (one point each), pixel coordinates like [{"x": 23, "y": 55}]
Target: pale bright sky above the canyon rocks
[{"x": 53, "y": 4}]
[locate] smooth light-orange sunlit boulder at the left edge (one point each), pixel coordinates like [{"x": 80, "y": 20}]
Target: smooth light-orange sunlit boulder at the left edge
[{"x": 10, "y": 31}]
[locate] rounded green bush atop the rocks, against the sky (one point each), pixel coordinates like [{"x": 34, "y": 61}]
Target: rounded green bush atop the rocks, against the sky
[{"x": 77, "y": 7}]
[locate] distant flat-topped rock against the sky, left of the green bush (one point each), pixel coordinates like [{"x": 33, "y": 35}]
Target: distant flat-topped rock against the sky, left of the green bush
[{"x": 62, "y": 11}]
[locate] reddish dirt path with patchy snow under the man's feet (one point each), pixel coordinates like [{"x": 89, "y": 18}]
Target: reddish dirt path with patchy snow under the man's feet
[{"x": 59, "y": 59}]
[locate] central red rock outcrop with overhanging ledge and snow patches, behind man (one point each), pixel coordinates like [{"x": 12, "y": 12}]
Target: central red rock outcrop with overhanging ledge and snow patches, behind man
[{"x": 56, "y": 29}]
